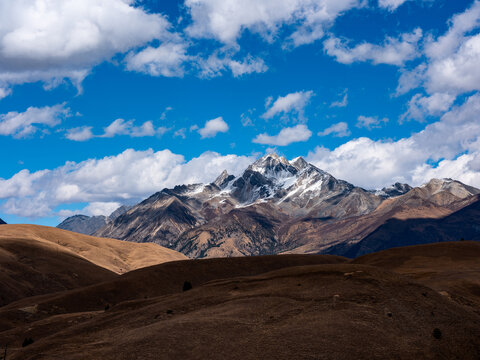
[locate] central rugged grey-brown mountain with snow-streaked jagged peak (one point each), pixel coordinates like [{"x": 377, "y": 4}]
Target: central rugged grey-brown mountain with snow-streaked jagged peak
[{"x": 247, "y": 209}]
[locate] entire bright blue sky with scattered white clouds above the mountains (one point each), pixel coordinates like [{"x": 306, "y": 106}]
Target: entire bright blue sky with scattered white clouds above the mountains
[{"x": 106, "y": 102}]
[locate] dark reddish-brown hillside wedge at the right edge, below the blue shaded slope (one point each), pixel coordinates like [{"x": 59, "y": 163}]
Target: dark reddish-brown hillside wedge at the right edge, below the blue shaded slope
[{"x": 451, "y": 268}]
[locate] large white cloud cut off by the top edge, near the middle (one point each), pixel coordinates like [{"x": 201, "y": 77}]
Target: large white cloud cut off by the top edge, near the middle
[{"x": 225, "y": 20}]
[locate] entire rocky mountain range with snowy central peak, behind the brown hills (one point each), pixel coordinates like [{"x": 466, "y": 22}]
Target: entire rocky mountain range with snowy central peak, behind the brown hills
[{"x": 280, "y": 206}]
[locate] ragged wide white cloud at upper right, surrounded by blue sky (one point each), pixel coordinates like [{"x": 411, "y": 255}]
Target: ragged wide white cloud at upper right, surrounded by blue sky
[{"x": 394, "y": 51}]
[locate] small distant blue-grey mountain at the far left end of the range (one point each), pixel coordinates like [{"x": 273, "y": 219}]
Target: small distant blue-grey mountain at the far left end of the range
[{"x": 89, "y": 225}]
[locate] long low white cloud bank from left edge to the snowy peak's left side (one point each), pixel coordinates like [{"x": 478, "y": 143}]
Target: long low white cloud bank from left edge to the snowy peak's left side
[{"x": 130, "y": 175}]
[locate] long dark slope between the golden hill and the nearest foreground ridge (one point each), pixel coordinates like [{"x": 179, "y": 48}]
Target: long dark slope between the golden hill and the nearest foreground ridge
[{"x": 150, "y": 282}]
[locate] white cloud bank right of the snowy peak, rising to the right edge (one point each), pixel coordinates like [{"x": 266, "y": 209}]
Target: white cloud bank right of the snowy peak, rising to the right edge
[{"x": 374, "y": 164}]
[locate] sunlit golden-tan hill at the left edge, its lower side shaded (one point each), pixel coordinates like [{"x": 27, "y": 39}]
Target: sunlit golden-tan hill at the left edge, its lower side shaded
[{"x": 36, "y": 260}]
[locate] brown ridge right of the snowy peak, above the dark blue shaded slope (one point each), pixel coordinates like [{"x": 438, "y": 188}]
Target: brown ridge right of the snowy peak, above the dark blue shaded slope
[{"x": 434, "y": 200}]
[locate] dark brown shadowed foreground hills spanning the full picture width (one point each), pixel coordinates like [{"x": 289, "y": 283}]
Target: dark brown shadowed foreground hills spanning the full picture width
[{"x": 407, "y": 303}]
